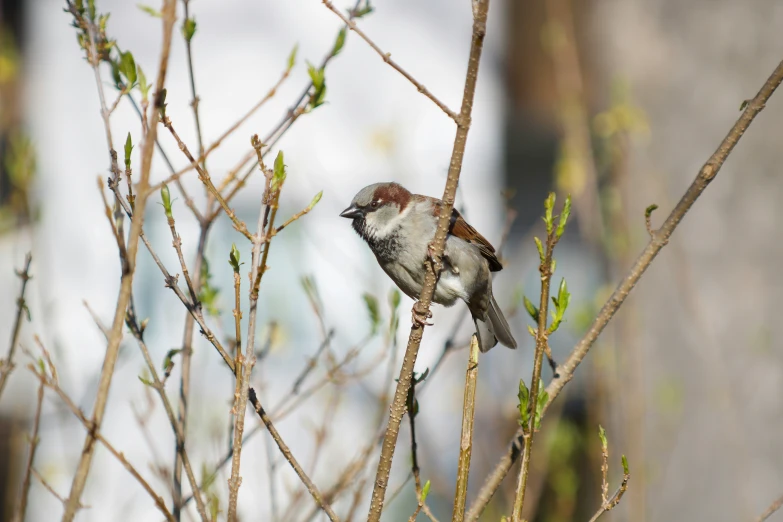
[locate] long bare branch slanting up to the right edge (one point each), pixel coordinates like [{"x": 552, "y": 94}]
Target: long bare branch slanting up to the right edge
[{"x": 658, "y": 241}]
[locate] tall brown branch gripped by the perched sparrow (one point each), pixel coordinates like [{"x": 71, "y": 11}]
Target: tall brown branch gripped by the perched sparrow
[{"x": 438, "y": 243}]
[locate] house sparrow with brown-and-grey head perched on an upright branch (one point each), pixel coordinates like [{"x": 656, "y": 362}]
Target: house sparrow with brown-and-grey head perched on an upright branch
[{"x": 398, "y": 226}]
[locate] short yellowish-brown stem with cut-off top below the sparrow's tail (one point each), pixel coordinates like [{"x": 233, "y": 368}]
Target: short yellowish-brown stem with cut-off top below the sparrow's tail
[{"x": 466, "y": 439}]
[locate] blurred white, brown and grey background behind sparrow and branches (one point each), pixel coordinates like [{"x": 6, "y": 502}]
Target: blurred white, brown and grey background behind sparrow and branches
[{"x": 617, "y": 102}]
